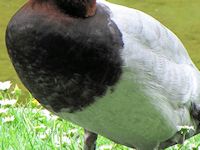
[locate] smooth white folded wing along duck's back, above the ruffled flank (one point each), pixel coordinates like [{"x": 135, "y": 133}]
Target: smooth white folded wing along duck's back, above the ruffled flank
[{"x": 148, "y": 32}]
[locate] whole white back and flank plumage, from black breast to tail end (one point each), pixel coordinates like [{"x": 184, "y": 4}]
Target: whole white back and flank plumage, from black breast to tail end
[{"x": 156, "y": 56}]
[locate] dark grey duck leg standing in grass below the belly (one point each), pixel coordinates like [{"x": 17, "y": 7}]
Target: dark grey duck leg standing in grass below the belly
[{"x": 89, "y": 140}]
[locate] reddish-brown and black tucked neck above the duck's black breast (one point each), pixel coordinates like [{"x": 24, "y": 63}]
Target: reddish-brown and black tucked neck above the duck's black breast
[{"x": 79, "y": 8}]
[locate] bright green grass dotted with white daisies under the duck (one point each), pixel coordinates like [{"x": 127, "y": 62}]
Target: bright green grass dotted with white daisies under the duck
[{"x": 31, "y": 127}]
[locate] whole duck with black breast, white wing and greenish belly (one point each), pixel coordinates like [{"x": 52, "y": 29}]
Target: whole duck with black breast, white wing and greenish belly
[{"x": 113, "y": 70}]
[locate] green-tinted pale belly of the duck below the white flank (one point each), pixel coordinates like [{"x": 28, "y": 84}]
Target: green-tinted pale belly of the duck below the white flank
[{"x": 126, "y": 115}]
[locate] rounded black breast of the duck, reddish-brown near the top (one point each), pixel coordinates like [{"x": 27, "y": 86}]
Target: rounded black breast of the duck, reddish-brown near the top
[{"x": 65, "y": 62}]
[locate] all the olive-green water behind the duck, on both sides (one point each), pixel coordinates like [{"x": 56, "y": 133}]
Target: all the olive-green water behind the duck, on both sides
[{"x": 181, "y": 16}]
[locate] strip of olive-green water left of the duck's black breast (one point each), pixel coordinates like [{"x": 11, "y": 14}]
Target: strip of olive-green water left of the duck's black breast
[{"x": 7, "y": 9}]
